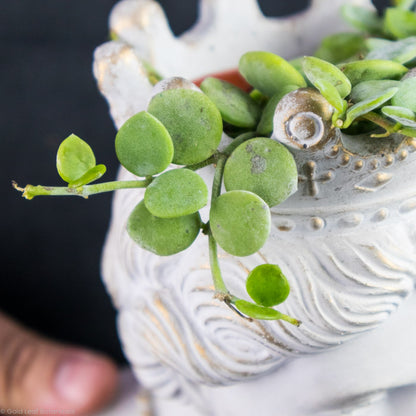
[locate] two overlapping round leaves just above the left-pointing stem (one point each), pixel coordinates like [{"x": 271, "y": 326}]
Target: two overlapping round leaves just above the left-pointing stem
[{"x": 182, "y": 126}]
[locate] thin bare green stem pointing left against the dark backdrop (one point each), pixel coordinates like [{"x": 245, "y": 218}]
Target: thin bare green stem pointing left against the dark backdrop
[{"x": 30, "y": 191}]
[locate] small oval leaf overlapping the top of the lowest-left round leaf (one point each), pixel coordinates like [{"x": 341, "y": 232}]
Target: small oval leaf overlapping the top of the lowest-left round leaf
[{"x": 176, "y": 193}]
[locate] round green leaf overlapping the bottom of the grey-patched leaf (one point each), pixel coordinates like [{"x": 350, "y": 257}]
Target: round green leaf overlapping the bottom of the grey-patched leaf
[{"x": 240, "y": 222}]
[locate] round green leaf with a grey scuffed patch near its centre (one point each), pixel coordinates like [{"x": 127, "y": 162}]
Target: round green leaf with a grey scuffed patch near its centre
[{"x": 262, "y": 166}]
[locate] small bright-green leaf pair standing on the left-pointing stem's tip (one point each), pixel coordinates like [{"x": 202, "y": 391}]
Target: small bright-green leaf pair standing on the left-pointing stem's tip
[{"x": 75, "y": 162}]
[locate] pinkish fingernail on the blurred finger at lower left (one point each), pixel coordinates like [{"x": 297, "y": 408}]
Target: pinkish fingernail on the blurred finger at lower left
[{"x": 76, "y": 377}]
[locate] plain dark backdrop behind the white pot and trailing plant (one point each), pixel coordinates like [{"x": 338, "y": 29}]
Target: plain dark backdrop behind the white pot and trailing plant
[{"x": 51, "y": 247}]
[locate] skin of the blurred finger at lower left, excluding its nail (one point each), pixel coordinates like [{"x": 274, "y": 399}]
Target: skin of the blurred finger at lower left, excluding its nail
[{"x": 28, "y": 364}]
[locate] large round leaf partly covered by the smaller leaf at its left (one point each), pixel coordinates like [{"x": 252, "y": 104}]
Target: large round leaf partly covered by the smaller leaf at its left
[{"x": 193, "y": 122}]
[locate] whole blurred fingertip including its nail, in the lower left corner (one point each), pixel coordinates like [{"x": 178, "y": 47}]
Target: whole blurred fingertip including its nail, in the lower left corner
[{"x": 39, "y": 374}]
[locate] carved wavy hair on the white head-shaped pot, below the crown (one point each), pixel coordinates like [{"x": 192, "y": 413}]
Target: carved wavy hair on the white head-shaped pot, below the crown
[{"x": 177, "y": 335}]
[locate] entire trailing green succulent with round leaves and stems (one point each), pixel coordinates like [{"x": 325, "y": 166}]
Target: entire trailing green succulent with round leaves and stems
[{"x": 365, "y": 76}]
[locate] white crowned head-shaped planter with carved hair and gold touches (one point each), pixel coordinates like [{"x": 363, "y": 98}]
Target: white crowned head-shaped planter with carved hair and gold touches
[{"x": 346, "y": 242}]
